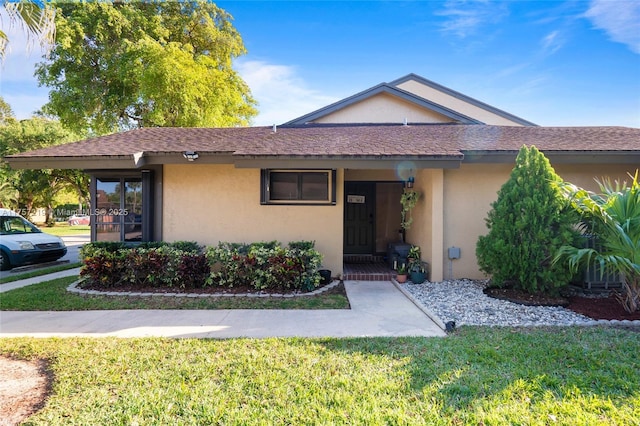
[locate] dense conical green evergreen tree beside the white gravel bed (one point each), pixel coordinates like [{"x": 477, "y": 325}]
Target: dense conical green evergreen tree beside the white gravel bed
[{"x": 528, "y": 223}]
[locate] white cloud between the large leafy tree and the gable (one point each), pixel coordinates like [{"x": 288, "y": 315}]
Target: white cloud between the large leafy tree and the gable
[{"x": 282, "y": 95}]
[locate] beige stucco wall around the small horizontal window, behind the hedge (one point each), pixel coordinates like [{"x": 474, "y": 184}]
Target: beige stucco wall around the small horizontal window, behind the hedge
[{"x": 213, "y": 203}]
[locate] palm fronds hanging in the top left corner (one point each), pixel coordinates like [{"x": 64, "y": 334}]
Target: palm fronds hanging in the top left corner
[{"x": 35, "y": 17}]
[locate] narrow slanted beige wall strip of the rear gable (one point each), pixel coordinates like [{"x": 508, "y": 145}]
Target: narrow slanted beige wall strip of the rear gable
[{"x": 455, "y": 104}]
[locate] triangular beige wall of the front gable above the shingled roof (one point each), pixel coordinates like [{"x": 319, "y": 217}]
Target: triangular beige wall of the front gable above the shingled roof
[{"x": 384, "y": 108}]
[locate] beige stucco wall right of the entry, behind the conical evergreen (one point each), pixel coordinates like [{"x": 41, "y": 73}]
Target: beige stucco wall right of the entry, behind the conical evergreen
[{"x": 468, "y": 194}]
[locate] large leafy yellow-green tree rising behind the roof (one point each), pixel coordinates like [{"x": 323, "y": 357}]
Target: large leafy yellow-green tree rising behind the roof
[{"x": 124, "y": 65}]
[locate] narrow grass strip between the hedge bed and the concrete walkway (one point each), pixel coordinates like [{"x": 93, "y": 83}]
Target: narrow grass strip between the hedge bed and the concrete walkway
[{"x": 53, "y": 296}]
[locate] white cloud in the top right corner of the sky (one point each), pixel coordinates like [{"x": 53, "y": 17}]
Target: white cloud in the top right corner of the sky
[{"x": 619, "y": 19}]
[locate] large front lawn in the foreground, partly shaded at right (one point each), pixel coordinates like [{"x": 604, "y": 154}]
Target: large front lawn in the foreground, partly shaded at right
[{"x": 491, "y": 376}]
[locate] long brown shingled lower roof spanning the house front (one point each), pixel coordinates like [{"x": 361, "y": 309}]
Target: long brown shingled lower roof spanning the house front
[{"x": 350, "y": 141}]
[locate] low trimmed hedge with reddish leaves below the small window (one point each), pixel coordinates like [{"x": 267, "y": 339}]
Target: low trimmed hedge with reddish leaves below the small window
[{"x": 264, "y": 265}]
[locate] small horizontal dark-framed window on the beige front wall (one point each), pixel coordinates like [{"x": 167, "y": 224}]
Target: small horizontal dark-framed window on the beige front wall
[{"x": 298, "y": 187}]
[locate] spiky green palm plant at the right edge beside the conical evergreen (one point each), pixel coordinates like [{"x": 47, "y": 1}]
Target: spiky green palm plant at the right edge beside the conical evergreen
[{"x": 613, "y": 217}]
